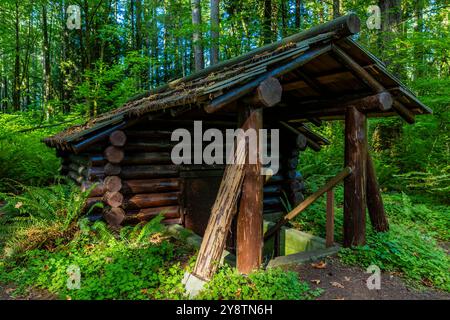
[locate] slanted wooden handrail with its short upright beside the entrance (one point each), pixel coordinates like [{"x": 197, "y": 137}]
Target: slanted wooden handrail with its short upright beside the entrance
[{"x": 328, "y": 188}]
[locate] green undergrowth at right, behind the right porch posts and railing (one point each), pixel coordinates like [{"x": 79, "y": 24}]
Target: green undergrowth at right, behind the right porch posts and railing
[{"x": 412, "y": 247}]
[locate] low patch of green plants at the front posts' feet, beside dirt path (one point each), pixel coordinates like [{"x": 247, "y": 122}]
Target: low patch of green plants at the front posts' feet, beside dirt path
[{"x": 260, "y": 285}]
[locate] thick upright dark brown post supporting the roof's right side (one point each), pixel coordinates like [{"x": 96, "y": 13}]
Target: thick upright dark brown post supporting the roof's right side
[{"x": 355, "y": 184}]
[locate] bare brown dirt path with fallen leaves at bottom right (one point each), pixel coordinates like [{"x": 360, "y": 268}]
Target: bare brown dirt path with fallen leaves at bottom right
[{"x": 349, "y": 283}]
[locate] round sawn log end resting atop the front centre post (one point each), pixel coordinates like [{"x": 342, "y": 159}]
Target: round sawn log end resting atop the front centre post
[{"x": 267, "y": 94}]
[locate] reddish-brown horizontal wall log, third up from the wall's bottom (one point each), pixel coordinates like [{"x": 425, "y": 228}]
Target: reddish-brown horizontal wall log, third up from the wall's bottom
[{"x": 150, "y": 186}]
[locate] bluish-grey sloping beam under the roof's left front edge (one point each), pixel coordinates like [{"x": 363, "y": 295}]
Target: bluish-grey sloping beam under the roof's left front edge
[{"x": 239, "y": 92}]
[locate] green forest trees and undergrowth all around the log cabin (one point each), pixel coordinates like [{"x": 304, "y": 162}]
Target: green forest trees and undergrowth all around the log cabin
[{"x": 54, "y": 75}]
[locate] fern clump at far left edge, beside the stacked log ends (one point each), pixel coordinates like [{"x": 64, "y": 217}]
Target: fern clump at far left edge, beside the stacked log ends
[{"x": 42, "y": 217}]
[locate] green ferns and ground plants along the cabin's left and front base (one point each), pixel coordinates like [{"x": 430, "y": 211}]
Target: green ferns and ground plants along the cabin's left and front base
[{"x": 45, "y": 241}]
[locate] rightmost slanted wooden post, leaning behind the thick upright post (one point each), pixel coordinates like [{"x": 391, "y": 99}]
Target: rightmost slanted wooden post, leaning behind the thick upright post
[{"x": 374, "y": 200}]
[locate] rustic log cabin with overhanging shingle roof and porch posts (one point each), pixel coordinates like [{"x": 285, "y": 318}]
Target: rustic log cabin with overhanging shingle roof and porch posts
[{"x": 317, "y": 75}]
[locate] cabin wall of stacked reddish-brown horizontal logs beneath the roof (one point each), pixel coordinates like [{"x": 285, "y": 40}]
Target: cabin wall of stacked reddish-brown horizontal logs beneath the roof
[{"x": 135, "y": 179}]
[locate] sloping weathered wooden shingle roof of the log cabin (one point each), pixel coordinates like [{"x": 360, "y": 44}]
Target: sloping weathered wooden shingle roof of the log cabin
[{"x": 311, "y": 74}]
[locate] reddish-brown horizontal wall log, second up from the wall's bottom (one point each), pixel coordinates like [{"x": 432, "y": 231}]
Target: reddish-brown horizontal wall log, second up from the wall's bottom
[{"x": 148, "y": 200}]
